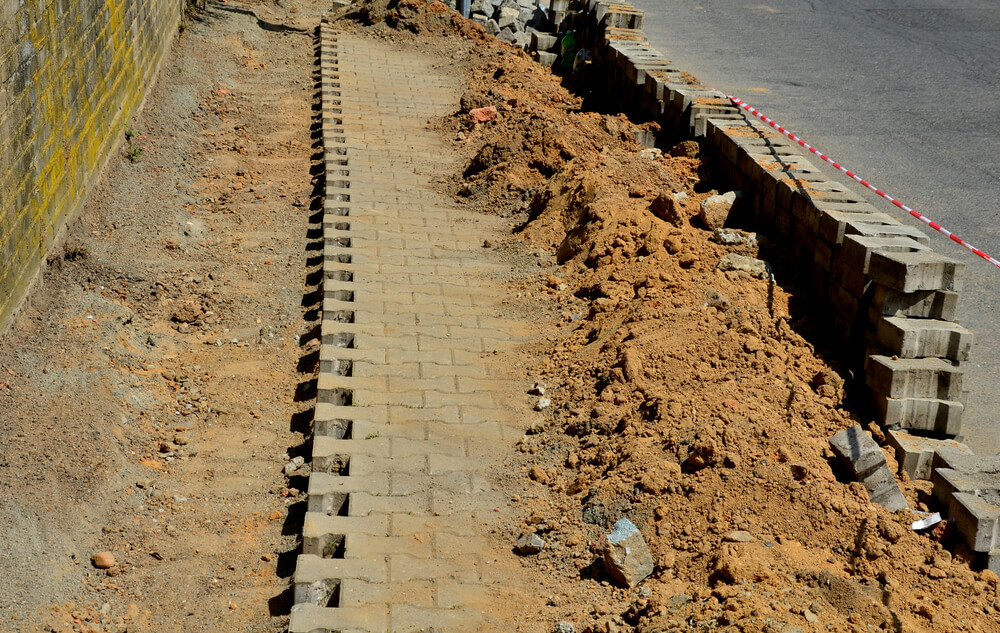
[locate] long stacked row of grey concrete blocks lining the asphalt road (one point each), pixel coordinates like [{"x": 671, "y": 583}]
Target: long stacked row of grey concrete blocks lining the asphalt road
[{"x": 892, "y": 298}]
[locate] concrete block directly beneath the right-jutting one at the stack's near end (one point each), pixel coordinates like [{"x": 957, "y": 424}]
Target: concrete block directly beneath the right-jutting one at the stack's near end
[{"x": 914, "y": 378}]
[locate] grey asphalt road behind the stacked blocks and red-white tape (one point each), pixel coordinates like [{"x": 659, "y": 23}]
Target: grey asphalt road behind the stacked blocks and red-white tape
[{"x": 906, "y": 94}]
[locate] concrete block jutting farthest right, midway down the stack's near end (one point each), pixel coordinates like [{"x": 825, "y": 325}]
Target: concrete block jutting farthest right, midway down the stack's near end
[{"x": 921, "y": 338}]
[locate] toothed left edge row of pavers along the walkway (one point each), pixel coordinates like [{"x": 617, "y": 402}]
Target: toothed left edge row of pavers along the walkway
[{"x": 330, "y": 564}]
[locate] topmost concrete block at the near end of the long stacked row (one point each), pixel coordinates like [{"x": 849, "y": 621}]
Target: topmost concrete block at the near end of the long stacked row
[{"x": 919, "y": 270}]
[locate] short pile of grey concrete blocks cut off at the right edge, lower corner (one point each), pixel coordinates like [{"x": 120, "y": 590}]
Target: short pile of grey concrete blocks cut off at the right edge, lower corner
[{"x": 966, "y": 487}]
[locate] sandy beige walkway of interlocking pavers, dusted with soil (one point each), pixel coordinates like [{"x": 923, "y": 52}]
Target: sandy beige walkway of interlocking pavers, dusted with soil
[{"x": 408, "y": 420}]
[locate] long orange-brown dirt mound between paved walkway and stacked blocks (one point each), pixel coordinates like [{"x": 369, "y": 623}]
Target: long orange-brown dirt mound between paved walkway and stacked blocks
[{"x": 683, "y": 397}]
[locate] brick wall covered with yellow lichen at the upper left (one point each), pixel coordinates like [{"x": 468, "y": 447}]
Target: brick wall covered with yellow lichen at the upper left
[{"x": 71, "y": 75}]
